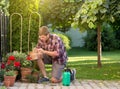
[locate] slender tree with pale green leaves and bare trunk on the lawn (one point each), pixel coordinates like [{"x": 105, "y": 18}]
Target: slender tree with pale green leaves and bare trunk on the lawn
[{"x": 92, "y": 14}]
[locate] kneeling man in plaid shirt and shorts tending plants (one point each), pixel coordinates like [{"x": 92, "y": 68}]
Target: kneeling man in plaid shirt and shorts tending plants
[{"x": 50, "y": 50}]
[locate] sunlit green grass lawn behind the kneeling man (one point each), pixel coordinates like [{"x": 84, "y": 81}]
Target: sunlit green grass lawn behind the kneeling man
[{"x": 85, "y": 62}]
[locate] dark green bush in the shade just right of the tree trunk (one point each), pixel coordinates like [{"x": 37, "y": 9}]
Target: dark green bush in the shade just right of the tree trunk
[{"x": 108, "y": 38}]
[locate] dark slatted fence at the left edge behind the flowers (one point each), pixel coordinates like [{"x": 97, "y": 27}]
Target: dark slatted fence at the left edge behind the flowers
[{"x": 3, "y": 32}]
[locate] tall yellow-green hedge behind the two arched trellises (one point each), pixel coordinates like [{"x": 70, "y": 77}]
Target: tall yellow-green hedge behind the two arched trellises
[{"x": 25, "y": 8}]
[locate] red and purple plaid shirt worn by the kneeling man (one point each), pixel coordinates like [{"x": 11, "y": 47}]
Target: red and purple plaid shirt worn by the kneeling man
[{"x": 54, "y": 43}]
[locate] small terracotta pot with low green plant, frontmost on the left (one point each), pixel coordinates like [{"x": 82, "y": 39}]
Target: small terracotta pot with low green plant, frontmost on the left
[{"x": 9, "y": 78}]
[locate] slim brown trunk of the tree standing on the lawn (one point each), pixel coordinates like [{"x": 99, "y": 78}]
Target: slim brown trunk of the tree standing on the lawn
[{"x": 99, "y": 46}]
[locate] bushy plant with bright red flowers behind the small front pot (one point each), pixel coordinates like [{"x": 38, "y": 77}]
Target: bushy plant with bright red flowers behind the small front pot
[{"x": 11, "y": 61}]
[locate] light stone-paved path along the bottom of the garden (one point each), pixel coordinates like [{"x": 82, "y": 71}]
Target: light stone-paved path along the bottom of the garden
[{"x": 82, "y": 84}]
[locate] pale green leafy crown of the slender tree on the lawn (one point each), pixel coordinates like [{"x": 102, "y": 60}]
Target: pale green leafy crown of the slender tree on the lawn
[{"x": 94, "y": 12}]
